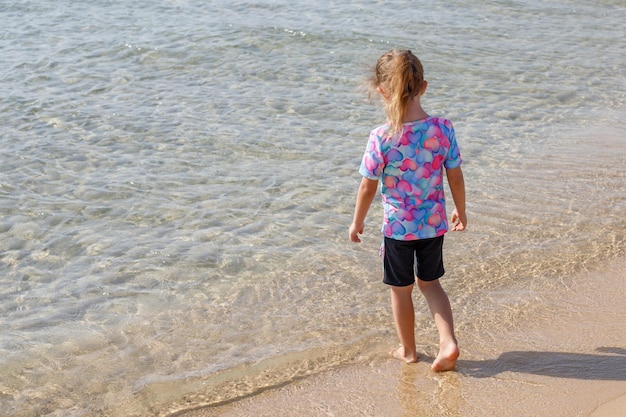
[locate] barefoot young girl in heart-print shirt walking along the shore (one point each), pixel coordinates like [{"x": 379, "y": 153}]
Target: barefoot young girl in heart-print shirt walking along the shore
[{"x": 408, "y": 155}]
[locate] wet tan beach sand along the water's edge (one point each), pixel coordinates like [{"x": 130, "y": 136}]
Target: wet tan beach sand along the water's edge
[{"x": 566, "y": 357}]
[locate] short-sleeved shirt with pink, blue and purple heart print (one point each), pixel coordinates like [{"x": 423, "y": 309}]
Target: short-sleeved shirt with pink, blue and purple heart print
[{"x": 410, "y": 166}]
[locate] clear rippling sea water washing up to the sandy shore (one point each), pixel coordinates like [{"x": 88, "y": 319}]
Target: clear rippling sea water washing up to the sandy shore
[{"x": 178, "y": 178}]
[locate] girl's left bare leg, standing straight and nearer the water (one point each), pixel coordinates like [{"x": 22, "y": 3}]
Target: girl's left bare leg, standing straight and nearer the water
[{"x": 404, "y": 317}]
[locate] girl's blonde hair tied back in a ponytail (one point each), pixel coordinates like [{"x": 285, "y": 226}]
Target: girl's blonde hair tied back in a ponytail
[{"x": 400, "y": 75}]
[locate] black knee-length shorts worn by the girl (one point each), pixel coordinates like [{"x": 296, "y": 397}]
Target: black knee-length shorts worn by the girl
[{"x": 405, "y": 260}]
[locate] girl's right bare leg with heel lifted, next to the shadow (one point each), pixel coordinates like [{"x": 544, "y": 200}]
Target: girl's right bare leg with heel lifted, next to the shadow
[{"x": 442, "y": 313}]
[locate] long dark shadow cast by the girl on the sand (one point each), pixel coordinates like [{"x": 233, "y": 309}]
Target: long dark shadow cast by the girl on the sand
[{"x": 608, "y": 365}]
